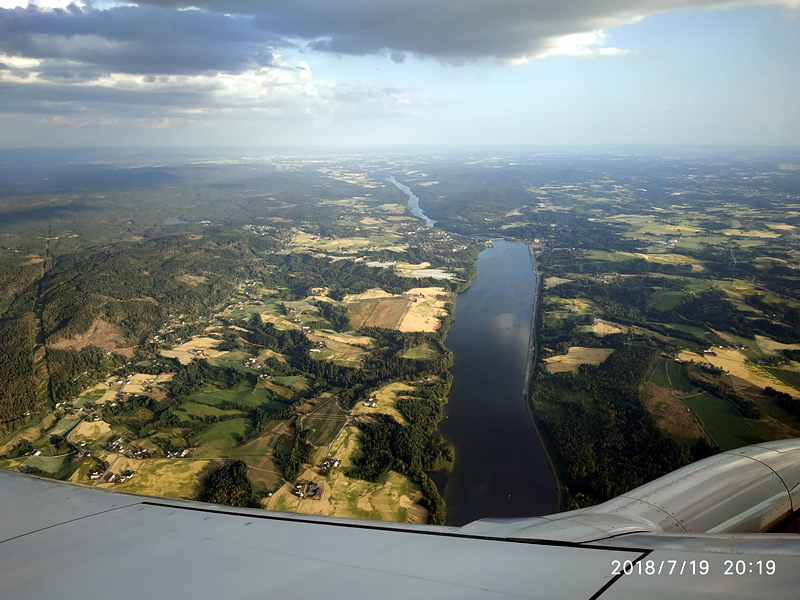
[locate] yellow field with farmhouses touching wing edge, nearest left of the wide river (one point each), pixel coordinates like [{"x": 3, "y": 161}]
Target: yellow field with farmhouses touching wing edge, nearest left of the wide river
[{"x": 395, "y": 500}]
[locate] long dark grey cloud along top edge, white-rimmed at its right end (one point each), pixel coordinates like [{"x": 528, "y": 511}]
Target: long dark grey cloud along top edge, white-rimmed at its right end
[{"x": 450, "y": 30}]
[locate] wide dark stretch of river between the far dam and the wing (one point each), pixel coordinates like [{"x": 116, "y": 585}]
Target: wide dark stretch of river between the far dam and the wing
[{"x": 501, "y": 469}]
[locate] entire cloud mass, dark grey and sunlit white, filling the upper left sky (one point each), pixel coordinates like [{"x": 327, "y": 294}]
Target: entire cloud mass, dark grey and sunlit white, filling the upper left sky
[{"x": 162, "y": 63}]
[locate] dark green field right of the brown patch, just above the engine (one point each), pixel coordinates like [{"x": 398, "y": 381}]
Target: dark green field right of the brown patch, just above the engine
[{"x": 723, "y": 425}]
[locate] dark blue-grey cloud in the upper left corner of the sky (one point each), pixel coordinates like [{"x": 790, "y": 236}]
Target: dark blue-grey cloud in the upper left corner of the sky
[{"x": 78, "y": 44}]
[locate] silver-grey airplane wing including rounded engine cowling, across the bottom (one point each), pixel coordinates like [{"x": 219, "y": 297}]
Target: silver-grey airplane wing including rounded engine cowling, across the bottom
[{"x": 691, "y": 534}]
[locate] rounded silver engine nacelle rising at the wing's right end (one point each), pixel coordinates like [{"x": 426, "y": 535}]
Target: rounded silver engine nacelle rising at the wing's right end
[{"x": 747, "y": 490}]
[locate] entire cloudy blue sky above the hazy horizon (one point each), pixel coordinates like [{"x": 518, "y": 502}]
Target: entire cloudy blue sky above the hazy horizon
[{"x": 382, "y": 73}]
